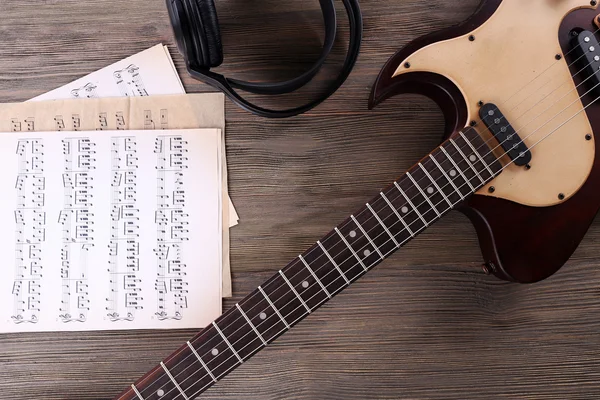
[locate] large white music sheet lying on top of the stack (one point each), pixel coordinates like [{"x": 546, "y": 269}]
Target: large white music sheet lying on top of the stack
[{"x": 109, "y": 231}]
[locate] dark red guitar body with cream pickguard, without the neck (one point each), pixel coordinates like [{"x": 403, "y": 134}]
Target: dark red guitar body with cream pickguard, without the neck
[{"x": 517, "y": 54}]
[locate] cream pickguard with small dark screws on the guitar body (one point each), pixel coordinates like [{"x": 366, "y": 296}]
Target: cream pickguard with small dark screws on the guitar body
[{"x": 511, "y": 60}]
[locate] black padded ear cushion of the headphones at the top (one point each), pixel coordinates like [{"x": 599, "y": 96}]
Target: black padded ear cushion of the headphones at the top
[{"x": 210, "y": 32}]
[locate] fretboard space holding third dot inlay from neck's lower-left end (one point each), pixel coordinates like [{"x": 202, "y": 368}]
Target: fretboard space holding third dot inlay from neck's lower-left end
[{"x": 262, "y": 316}]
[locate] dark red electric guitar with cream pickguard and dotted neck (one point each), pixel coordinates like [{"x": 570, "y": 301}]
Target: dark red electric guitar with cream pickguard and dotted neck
[{"x": 519, "y": 85}]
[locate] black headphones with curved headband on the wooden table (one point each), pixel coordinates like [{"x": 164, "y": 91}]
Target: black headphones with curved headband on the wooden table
[{"x": 196, "y": 29}]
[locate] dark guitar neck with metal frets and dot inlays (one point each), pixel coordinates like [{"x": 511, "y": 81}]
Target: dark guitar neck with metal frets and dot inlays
[{"x": 429, "y": 190}]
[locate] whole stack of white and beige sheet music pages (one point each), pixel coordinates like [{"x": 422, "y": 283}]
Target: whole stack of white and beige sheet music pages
[{"x": 119, "y": 229}]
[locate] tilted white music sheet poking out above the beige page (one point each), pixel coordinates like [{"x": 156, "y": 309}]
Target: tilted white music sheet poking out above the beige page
[{"x": 150, "y": 72}]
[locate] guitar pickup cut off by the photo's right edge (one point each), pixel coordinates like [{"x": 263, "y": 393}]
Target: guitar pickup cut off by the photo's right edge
[{"x": 587, "y": 53}]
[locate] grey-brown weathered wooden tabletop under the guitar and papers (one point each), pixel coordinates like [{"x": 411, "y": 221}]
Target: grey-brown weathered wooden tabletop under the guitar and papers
[{"x": 427, "y": 324}]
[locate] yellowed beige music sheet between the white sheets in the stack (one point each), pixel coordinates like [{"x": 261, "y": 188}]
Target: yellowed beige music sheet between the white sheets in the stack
[{"x": 176, "y": 112}]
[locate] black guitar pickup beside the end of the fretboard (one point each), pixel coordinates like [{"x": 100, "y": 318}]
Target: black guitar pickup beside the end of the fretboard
[{"x": 505, "y": 134}]
